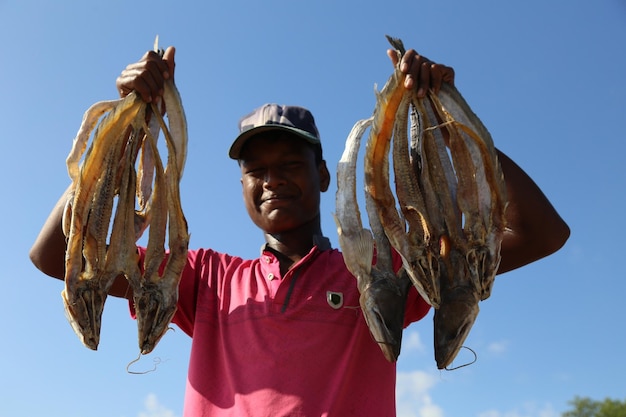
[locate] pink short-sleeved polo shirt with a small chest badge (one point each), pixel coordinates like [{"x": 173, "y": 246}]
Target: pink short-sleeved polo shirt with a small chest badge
[{"x": 270, "y": 345}]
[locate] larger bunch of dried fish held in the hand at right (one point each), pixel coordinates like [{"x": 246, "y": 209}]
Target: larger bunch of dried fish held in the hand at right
[{"x": 447, "y": 224}]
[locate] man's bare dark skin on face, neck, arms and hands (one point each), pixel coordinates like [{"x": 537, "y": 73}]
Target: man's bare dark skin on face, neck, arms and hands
[{"x": 282, "y": 182}]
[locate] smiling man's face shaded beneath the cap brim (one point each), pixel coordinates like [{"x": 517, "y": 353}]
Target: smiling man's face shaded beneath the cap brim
[{"x": 281, "y": 181}]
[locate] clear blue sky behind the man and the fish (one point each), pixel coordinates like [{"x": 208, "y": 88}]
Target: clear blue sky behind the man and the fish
[{"x": 545, "y": 76}]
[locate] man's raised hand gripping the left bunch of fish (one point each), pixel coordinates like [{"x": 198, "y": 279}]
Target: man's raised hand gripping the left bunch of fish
[{"x": 147, "y": 75}]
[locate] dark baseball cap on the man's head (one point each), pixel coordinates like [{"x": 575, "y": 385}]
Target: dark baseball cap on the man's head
[{"x": 271, "y": 116}]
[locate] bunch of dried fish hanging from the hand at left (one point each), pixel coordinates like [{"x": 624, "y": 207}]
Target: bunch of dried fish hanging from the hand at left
[{"x": 119, "y": 190}]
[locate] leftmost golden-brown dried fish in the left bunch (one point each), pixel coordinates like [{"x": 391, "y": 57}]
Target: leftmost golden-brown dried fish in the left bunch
[{"x": 86, "y": 284}]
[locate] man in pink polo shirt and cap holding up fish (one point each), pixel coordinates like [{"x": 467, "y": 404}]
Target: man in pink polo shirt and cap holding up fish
[{"x": 282, "y": 335}]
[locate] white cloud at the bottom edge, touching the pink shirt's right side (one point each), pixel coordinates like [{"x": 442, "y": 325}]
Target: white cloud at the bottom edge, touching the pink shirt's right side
[{"x": 412, "y": 395}]
